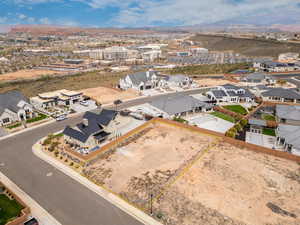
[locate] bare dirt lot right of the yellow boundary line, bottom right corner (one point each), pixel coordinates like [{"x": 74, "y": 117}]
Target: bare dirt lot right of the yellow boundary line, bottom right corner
[{"x": 234, "y": 186}]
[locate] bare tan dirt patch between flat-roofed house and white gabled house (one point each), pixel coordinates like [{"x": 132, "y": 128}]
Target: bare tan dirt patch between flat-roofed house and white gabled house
[{"x": 106, "y": 95}]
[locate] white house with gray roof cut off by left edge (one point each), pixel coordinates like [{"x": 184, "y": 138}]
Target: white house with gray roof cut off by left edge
[{"x": 14, "y": 107}]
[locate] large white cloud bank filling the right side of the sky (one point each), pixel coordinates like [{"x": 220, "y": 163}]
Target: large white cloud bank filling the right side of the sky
[{"x": 190, "y": 12}]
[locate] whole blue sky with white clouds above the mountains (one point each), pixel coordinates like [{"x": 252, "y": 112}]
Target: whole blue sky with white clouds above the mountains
[{"x": 147, "y": 13}]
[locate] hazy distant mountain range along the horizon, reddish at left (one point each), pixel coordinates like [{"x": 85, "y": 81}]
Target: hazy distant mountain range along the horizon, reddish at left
[{"x": 64, "y": 30}]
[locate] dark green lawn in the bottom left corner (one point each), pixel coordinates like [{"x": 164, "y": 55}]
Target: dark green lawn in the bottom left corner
[{"x": 9, "y": 209}]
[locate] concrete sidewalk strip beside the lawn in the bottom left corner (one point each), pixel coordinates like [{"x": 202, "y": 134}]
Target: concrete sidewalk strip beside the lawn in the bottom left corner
[{"x": 37, "y": 211}]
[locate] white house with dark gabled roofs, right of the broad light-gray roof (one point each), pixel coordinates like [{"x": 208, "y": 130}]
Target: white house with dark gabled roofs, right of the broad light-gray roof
[{"x": 230, "y": 93}]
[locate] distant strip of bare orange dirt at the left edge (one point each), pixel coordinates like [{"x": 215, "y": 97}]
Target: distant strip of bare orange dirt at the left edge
[{"x": 26, "y": 74}]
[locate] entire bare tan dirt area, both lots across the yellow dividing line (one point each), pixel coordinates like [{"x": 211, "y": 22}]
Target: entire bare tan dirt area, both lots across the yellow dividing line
[{"x": 182, "y": 175}]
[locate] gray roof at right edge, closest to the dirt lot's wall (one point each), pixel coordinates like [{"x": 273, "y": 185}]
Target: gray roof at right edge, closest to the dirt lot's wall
[{"x": 290, "y": 133}]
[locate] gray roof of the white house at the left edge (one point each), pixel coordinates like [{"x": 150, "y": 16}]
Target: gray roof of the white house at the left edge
[{"x": 10, "y": 100}]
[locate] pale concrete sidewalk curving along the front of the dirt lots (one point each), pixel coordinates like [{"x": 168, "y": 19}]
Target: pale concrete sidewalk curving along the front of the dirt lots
[{"x": 109, "y": 196}]
